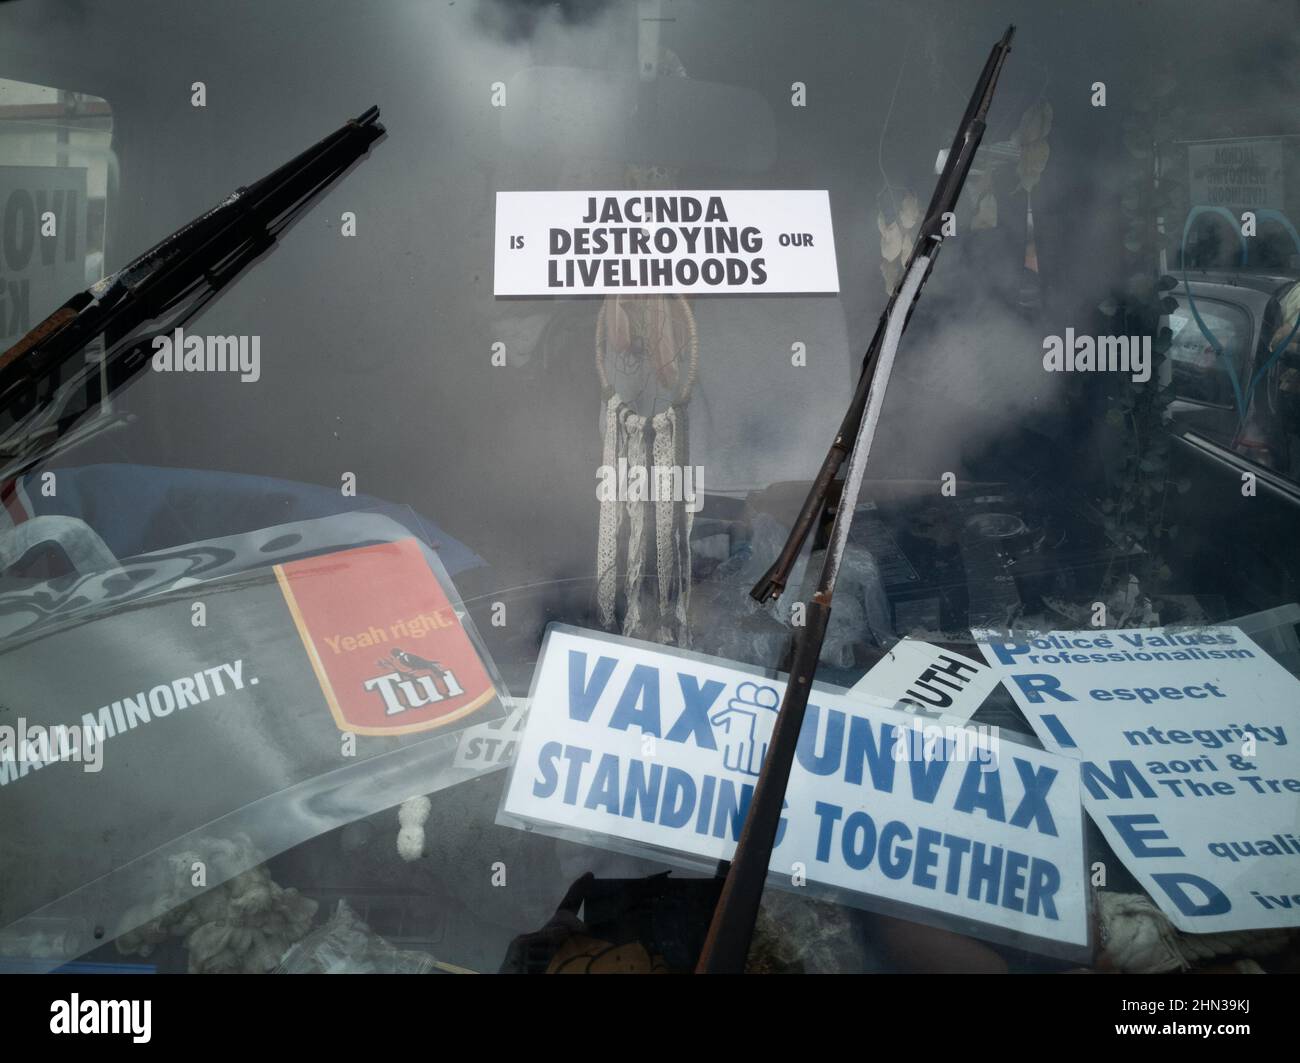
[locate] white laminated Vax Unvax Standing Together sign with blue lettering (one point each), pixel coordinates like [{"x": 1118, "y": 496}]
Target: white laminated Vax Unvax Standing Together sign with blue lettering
[{"x": 662, "y": 748}]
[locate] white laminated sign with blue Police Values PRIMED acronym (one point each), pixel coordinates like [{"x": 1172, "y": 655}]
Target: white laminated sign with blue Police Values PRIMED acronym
[{"x": 1188, "y": 747}]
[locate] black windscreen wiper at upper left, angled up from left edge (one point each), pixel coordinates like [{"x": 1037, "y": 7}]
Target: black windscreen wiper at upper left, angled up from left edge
[{"x": 192, "y": 264}]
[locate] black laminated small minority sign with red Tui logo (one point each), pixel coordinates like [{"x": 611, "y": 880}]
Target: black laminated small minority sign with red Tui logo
[{"x": 276, "y": 704}]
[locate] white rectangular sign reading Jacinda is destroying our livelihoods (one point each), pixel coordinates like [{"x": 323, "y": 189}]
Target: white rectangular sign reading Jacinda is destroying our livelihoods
[{"x": 593, "y": 244}]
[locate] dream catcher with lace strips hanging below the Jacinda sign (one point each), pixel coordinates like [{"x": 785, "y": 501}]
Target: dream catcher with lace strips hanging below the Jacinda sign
[{"x": 648, "y": 359}]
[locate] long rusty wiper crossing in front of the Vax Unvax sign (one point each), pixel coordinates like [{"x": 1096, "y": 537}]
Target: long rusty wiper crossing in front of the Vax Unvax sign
[{"x": 727, "y": 944}]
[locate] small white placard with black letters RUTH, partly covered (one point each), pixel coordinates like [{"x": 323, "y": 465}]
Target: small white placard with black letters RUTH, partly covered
[{"x": 930, "y": 682}]
